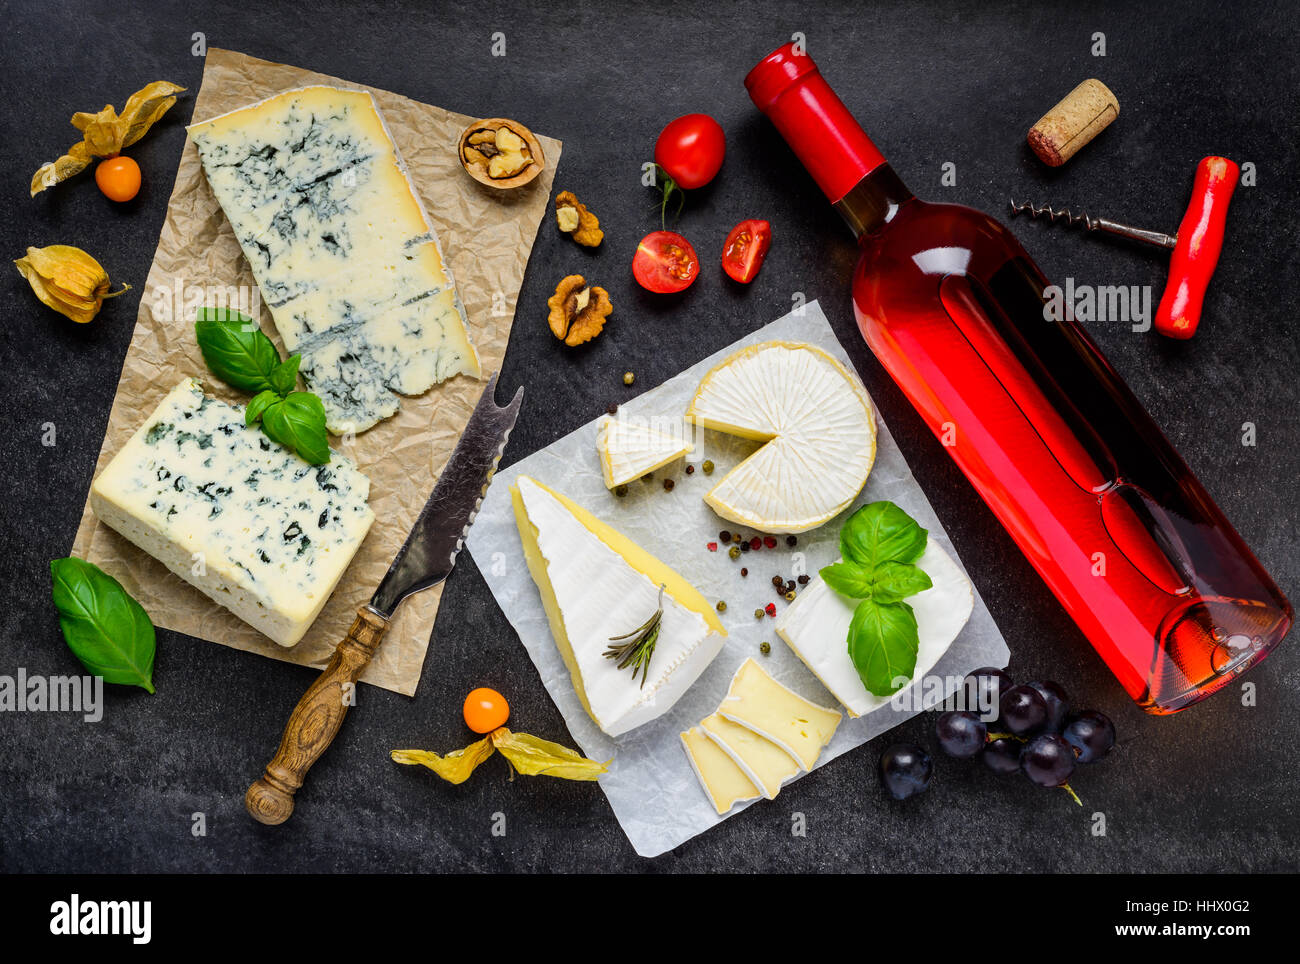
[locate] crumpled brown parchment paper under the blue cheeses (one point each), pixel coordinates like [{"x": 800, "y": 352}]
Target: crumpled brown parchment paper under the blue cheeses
[{"x": 486, "y": 236}]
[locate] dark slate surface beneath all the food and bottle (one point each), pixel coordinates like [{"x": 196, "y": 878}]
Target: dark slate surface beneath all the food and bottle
[{"x": 1211, "y": 789}]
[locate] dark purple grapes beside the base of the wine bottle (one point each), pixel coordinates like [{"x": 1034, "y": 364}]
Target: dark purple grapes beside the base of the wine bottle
[{"x": 1034, "y": 733}]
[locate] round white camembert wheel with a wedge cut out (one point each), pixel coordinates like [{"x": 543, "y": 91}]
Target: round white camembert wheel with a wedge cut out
[{"x": 818, "y": 425}]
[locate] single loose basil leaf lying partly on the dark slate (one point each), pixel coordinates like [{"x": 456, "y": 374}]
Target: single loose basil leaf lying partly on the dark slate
[{"x": 105, "y": 628}]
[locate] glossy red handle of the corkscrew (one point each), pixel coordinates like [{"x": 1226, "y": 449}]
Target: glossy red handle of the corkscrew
[{"x": 1201, "y": 238}]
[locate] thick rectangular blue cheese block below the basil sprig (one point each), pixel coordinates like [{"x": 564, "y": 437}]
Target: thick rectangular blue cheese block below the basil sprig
[{"x": 237, "y": 516}]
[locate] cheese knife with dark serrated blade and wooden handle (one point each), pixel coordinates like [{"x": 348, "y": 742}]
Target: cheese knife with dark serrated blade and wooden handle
[{"x": 423, "y": 562}]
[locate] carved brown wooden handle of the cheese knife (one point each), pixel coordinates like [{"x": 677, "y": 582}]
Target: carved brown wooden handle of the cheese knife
[{"x": 315, "y": 722}]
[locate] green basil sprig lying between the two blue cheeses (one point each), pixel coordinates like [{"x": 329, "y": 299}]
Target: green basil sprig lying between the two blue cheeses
[{"x": 242, "y": 357}]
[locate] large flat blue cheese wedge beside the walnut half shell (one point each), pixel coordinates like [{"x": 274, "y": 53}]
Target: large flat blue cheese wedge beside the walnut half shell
[{"x": 341, "y": 247}]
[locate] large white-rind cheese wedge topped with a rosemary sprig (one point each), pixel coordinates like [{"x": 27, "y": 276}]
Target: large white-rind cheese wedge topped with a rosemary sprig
[{"x": 597, "y": 584}]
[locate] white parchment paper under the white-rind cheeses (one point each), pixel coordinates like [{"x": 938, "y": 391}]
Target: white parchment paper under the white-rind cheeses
[{"x": 651, "y": 785}]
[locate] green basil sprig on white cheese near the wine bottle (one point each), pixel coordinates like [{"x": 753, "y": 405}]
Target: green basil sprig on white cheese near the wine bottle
[{"x": 881, "y": 545}]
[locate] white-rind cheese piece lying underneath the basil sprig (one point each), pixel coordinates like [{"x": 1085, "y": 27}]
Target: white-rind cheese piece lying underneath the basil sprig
[{"x": 817, "y": 628}]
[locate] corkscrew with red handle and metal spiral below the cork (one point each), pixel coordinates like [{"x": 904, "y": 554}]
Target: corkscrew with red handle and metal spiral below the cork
[{"x": 1197, "y": 246}]
